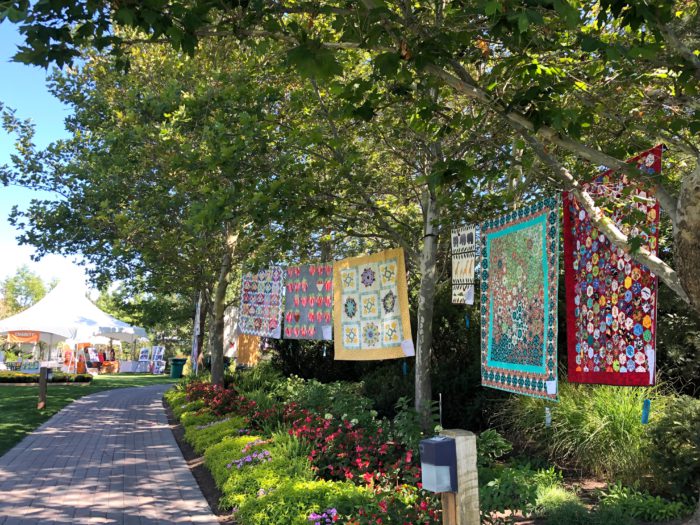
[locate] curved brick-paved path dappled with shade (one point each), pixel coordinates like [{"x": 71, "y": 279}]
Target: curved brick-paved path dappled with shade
[{"x": 107, "y": 458}]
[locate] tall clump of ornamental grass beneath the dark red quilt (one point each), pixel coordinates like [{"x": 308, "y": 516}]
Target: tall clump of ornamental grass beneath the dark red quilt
[{"x": 596, "y": 429}]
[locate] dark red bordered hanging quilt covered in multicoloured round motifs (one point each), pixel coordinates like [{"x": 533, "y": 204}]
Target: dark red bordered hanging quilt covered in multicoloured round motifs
[{"x": 611, "y": 299}]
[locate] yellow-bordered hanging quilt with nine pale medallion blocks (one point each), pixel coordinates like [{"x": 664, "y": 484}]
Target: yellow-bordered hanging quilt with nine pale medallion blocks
[{"x": 371, "y": 307}]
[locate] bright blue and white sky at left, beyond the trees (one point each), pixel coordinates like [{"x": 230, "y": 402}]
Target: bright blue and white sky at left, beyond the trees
[{"x": 23, "y": 88}]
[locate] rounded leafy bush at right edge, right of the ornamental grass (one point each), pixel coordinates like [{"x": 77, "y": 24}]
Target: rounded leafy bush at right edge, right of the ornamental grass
[{"x": 676, "y": 444}]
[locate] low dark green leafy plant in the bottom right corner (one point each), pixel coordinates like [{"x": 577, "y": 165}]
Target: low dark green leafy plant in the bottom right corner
[{"x": 642, "y": 505}]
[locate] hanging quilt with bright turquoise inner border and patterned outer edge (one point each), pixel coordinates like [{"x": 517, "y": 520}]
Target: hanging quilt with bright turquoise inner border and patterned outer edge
[{"x": 519, "y": 283}]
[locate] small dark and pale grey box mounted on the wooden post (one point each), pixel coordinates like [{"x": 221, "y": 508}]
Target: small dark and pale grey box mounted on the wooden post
[{"x": 438, "y": 458}]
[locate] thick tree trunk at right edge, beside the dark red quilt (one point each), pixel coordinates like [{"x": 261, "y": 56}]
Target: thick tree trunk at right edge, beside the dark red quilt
[{"x": 687, "y": 236}]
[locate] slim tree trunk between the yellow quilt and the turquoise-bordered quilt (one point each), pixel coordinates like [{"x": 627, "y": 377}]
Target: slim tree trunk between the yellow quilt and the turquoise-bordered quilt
[{"x": 426, "y": 305}]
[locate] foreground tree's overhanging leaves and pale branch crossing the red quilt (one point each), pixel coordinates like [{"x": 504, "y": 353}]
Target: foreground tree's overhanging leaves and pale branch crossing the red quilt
[{"x": 539, "y": 66}]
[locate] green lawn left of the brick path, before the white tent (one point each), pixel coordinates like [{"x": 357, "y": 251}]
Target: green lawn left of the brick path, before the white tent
[{"x": 18, "y": 413}]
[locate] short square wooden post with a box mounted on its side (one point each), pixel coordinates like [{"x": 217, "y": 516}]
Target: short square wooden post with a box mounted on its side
[{"x": 462, "y": 507}]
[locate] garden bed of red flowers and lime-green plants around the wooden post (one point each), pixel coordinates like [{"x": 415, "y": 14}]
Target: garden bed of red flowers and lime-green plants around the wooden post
[{"x": 293, "y": 452}]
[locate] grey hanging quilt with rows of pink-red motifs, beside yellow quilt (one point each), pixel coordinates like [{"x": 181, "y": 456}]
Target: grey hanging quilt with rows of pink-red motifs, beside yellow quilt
[{"x": 309, "y": 302}]
